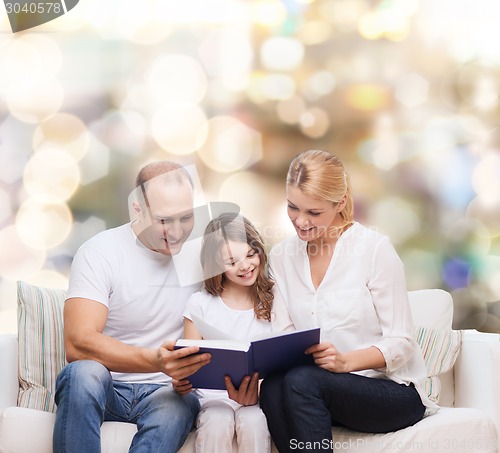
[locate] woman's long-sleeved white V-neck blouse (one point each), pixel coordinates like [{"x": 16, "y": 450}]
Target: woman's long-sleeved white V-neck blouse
[{"x": 362, "y": 301}]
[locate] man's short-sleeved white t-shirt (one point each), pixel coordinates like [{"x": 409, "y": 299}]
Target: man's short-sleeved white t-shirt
[{"x": 139, "y": 287}]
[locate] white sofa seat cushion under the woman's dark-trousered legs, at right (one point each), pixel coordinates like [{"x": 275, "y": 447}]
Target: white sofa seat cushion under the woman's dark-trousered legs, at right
[{"x": 458, "y": 430}]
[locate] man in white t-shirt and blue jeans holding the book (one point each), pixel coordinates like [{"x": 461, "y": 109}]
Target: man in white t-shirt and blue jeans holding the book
[{"x": 124, "y": 303}]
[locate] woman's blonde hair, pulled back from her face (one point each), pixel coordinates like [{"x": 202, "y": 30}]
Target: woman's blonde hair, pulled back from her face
[{"x": 319, "y": 174}]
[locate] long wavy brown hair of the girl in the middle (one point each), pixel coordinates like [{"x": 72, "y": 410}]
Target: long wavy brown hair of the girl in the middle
[{"x": 233, "y": 227}]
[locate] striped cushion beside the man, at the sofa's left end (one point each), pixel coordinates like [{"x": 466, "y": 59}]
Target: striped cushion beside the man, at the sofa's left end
[{"x": 41, "y": 345}]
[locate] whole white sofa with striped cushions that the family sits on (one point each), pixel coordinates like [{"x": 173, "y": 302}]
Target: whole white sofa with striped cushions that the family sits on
[{"x": 463, "y": 377}]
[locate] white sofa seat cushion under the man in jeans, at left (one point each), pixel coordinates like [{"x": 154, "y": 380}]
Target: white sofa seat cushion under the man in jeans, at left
[{"x": 25, "y": 430}]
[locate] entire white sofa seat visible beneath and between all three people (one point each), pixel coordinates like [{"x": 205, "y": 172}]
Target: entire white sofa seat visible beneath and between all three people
[{"x": 449, "y": 430}]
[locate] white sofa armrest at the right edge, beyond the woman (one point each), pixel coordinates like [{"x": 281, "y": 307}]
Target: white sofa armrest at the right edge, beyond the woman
[{"x": 477, "y": 373}]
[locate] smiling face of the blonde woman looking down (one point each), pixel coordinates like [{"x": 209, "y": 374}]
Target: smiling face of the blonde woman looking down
[{"x": 312, "y": 218}]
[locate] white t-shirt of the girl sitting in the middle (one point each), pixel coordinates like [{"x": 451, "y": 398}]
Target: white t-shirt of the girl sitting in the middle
[{"x": 238, "y": 324}]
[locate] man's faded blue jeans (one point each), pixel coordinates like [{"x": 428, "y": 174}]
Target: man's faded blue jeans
[{"x": 86, "y": 396}]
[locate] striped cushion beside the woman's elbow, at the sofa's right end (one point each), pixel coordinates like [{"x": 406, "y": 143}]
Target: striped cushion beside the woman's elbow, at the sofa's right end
[{"x": 440, "y": 349}]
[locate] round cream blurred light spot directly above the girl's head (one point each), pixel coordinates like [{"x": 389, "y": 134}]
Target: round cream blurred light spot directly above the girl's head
[{"x": 231, "y": 145}]
